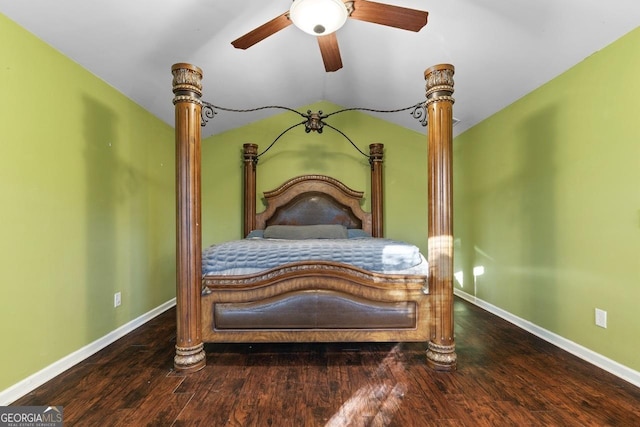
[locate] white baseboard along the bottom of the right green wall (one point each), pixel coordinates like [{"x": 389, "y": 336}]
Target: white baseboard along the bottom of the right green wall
[{"x": 611, "y": 366}]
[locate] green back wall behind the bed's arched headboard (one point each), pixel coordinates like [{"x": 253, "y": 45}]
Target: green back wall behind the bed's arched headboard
[{"x": 329, "y": 153}]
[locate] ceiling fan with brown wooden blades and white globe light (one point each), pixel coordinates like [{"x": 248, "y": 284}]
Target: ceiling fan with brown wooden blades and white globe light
[{"x": 322, "y": 18}]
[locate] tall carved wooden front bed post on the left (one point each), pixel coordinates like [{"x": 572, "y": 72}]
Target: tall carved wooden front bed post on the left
[{"x": 187, "y": 89}]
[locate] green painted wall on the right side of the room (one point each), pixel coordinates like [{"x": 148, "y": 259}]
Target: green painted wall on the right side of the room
[{"x": 548, "y": 201}]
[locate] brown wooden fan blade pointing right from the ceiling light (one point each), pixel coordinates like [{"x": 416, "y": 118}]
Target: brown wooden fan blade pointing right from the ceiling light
[{"x": 391, "y": 16}]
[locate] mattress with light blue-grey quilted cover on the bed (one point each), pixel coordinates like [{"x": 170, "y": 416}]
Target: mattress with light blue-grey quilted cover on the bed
[{"x": 249, "y": 256}]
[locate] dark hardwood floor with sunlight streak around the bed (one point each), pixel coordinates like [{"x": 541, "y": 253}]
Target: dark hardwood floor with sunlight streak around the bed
[{"x": 505, "y": 377}]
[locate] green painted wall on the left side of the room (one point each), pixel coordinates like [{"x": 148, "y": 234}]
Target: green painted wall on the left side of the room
[{"x": 87, "y": 187}]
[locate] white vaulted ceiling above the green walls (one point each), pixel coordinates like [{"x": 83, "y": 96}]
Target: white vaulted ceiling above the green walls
[{"x": 502, "y": 49}]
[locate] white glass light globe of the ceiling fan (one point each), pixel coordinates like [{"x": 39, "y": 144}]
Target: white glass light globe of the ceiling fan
[{"x": 318, "y": 17}]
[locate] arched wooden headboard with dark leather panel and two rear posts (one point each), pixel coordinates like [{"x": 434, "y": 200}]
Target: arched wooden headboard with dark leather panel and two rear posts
[{"x": 314, "y": 199}]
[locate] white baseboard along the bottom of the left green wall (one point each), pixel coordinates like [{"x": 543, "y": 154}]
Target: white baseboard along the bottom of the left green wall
[{"x": 30, "y": 383}]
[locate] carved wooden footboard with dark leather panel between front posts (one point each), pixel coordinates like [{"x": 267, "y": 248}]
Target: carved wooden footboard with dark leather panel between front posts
[{"x": 315, "y": 302}]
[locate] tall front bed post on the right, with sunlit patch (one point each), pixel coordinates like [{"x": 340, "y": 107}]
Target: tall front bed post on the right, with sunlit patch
[{"x": 439, "y": 90}]
